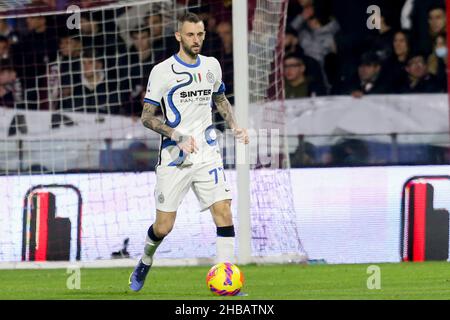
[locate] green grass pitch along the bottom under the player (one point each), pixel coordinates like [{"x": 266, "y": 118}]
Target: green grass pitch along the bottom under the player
[{"x": 430, "y": 280}]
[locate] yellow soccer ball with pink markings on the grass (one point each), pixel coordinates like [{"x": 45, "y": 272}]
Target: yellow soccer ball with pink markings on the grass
[{"x": 225, "y": 279}]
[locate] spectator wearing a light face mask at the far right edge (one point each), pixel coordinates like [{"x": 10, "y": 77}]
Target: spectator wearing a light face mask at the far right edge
[{"x": 437, "y": 61}]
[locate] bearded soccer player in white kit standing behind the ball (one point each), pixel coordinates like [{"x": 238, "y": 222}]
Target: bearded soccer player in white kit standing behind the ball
[{"x": 184, "y": 86}]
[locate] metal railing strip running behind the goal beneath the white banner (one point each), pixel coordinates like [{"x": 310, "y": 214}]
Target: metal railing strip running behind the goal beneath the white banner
[{"x": 29, "y": 156}]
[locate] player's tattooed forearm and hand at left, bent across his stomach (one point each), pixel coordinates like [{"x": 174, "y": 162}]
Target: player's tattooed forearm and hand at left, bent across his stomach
[{"x": 152, "y": 122}]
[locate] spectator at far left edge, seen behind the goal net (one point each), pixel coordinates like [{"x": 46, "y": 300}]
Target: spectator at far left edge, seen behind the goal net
[{"x": 10, "y": 86}]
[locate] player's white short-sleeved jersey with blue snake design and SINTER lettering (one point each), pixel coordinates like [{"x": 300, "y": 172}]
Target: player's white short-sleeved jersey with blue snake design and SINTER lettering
[{"x": 184, "y": 92}]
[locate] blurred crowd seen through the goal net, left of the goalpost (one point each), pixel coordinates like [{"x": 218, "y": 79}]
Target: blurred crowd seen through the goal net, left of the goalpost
[{"x": 102, "y": 66}]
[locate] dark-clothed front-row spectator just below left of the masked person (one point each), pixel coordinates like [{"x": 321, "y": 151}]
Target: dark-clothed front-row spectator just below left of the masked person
[{"x": 419, "y": 80}]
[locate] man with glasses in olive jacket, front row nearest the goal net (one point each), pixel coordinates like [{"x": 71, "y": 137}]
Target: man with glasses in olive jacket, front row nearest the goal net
[{"x": 297, "y": 83}]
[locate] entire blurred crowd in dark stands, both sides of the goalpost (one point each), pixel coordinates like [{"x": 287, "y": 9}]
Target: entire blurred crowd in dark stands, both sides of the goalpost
[{"x": 329, "y": 50}]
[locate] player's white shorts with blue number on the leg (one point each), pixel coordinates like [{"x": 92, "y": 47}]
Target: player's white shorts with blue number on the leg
[{"x": 207, "y": 180}]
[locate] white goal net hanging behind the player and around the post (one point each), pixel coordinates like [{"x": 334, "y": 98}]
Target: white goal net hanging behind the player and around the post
[{"x": 76, "y": 164}]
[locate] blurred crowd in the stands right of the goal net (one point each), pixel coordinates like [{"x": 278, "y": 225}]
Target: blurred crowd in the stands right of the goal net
[{"x": 332, "y": 50}]
